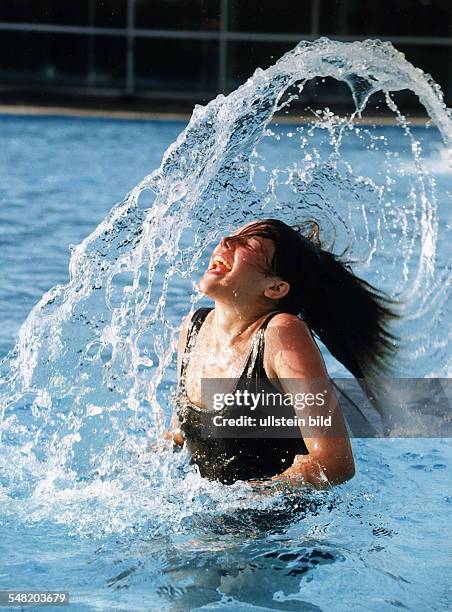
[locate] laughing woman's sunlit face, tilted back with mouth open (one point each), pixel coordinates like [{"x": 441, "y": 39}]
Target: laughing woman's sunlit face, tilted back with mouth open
[{"x": 239, "y": 268}]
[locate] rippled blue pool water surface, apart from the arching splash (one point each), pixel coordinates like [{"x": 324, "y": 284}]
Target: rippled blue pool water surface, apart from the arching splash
[{"x": 379, "y": 542}]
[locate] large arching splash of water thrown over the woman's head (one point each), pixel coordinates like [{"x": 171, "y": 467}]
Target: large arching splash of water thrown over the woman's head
[{"x": 86, "y": 390}]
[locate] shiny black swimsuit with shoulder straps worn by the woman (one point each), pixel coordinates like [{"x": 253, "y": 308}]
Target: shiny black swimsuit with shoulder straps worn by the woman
[{"x": 231, "y": 459}]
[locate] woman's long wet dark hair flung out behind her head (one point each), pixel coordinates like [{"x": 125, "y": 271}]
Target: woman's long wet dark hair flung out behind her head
[{"x": 349, "y": 315}]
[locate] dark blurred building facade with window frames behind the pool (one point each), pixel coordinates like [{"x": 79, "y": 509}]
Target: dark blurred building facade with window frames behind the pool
[{"x": 170, "y": 54}]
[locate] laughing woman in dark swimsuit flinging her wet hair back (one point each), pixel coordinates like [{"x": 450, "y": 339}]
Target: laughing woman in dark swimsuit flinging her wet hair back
[{"x": 272, "y": 289}]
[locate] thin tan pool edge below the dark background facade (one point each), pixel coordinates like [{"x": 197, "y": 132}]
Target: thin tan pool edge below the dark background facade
[{"x": 58, "y": 111}]
